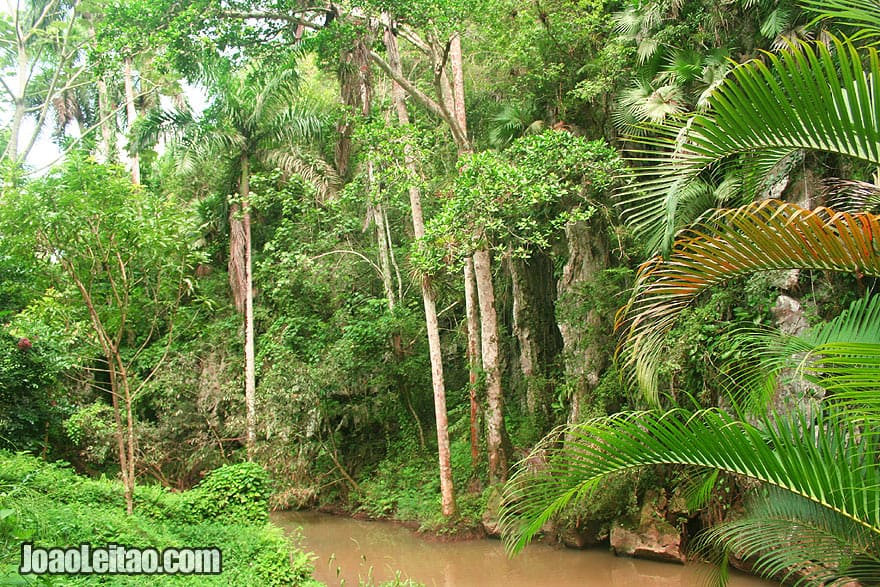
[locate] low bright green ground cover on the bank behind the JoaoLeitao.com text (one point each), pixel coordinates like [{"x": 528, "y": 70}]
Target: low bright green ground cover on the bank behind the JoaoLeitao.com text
[{"x": 50, "y": 505}]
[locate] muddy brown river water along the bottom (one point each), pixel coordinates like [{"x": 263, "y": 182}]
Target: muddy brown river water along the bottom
[{"x": 349, "y": 550}]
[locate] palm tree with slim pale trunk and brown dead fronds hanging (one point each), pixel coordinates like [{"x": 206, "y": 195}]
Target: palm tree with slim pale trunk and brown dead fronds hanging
[{"x": 256, "y": 116}]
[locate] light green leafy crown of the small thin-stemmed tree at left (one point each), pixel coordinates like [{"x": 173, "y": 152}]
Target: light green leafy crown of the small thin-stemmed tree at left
[{"x": 124, "y": 248}]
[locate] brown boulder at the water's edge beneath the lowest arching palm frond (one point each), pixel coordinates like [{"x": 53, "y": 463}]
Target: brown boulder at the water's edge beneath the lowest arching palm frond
[{"x": 653, "y": 537}]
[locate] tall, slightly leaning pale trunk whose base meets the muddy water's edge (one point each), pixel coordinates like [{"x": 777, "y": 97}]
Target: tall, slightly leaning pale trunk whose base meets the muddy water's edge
[{"x": 447, "y": 491}]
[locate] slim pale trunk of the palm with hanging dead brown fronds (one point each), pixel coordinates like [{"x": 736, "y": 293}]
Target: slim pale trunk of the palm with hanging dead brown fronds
[{"x": 250, "y": 386}]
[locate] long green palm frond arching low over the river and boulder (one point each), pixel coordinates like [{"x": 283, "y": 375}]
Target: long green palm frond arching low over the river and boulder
[{"x": 810, "y": 456}]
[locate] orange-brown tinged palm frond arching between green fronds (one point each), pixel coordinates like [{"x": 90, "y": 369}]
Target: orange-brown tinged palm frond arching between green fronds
[{"x": 759, "y": 237}]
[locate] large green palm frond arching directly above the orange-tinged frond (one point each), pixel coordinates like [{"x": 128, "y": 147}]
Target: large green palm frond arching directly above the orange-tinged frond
[{"x": 807, "y": 97}]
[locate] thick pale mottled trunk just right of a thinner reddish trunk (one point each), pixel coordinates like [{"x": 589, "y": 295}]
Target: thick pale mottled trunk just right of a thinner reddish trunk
[{"x": 495, "y": 431}]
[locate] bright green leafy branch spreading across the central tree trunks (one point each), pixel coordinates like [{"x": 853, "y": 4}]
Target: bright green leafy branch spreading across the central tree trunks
[{"x": 519, "y": 200}]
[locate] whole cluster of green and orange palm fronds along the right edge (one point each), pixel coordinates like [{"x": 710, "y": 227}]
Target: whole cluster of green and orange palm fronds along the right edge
[{"x": 816, "y": 516}]
